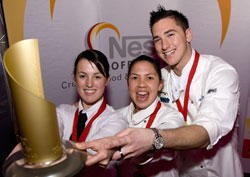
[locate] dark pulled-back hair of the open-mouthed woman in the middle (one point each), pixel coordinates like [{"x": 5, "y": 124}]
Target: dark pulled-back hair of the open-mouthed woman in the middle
[{"x": 149, "y": 59}]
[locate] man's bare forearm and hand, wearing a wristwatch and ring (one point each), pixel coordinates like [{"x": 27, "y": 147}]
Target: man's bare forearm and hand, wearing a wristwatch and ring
[{"x": 138, "y": 141}]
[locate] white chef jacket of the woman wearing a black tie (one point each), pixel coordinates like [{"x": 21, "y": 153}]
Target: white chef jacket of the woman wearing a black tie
[{"x": 107, "y": 124}]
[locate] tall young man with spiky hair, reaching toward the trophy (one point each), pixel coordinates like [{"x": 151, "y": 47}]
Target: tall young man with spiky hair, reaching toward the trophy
[{"x": 205, "y": 89}]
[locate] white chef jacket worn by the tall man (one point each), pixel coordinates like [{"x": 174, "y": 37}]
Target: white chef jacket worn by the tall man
[{"x": 213, "y": 103}]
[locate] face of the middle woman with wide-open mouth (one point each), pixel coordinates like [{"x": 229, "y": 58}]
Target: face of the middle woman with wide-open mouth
[{"x": 143, "y": 84}]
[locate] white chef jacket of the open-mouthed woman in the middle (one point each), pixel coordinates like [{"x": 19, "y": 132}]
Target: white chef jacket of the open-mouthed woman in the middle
[{"x": 166, "y": 117}]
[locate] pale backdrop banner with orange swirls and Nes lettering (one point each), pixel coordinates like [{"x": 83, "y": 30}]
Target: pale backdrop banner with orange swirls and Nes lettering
[{"x": 121, "y": 30}]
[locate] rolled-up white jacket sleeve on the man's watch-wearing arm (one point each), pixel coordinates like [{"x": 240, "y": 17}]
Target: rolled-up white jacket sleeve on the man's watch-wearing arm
[{"x": 218, "y": 110}]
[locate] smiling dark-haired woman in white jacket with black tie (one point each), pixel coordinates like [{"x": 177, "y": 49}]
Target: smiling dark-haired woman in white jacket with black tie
[{"x": 91, "y": 75}]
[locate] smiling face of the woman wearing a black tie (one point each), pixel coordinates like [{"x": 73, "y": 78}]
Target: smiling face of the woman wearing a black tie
[{"x": 90, "y": 83}]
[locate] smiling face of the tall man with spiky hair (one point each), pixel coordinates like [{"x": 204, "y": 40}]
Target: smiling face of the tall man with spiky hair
[{"x": 172, "y": 43}]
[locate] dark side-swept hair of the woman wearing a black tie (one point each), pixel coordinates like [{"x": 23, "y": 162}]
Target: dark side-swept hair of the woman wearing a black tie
[{"x": 96, "y": 57}]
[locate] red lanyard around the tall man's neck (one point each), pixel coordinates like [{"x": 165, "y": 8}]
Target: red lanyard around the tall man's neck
[{"x": 184, "y": 109}]
